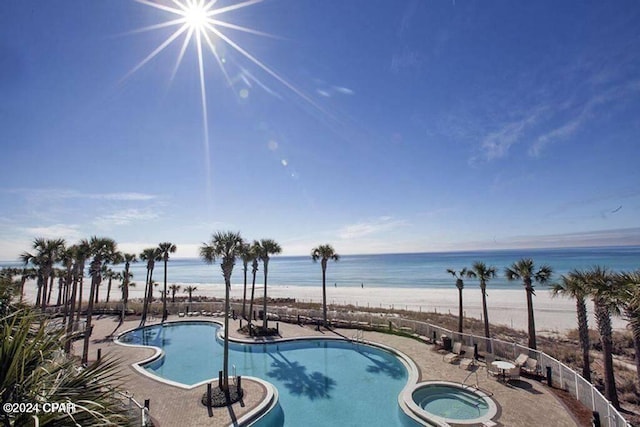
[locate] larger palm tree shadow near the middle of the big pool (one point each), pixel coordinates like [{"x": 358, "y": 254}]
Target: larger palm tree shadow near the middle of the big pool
[{"x": 295, "y": 378}]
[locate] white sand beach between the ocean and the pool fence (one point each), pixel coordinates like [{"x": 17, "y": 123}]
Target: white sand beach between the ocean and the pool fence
[{"x": 506, "y": 307}]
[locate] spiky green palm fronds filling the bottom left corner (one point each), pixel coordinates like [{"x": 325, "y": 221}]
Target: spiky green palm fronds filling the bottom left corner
[{"x": 34, "y": 367}]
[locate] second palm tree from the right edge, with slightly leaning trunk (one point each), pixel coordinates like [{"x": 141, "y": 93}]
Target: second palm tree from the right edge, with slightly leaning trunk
[{"x": 605, "y": 293}]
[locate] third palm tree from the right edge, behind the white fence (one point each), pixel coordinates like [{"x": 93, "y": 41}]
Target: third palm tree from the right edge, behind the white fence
[{"x": 575, "y": 285}]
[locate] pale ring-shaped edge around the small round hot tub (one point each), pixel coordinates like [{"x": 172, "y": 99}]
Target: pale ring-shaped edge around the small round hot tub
[{"x": 435, "y": 420}]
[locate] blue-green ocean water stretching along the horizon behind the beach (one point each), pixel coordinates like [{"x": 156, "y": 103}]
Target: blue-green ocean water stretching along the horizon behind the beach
[{"x": 413, "y": 270}]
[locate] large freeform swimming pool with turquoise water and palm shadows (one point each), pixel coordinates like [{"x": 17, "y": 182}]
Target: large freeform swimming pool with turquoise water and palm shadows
[{"x": 319, "y": 381}]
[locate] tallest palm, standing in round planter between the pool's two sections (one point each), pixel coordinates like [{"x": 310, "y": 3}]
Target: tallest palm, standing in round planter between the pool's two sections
[{"x": 228, "y": 246}]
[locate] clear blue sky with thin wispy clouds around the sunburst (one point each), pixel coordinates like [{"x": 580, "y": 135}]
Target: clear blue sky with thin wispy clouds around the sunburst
[{"x": 373, "y": 125}]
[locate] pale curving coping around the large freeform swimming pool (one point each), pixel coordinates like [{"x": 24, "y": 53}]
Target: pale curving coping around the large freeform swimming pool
[{"x": 271, "y": 399}]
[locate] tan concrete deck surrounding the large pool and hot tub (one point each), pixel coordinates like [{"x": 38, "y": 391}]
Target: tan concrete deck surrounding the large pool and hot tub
[{"x": 526, "y": 403}]
